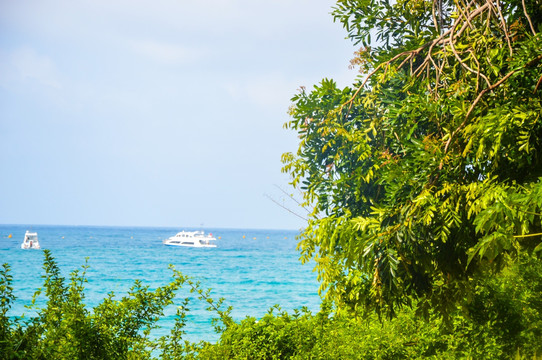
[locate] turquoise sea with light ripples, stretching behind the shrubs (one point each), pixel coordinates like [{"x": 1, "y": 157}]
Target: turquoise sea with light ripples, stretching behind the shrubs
[{"x": 253, "y": 270}]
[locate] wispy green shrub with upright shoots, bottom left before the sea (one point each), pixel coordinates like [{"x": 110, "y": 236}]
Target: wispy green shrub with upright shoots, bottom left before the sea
[{"x": 114, "y": 329}]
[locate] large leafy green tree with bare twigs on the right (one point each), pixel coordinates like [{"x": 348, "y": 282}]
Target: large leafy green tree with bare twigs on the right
[{"x": 426, "y": 172}]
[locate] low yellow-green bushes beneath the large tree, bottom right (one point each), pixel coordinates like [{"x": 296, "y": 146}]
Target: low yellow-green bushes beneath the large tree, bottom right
[{"x": 502, "y": 322}]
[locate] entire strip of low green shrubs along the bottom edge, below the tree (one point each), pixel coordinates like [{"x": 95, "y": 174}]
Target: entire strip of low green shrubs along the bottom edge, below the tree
[{"x": 503, "y": 321}]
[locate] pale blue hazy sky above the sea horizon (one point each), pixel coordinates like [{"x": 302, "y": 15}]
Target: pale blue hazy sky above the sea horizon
[{"x": 157, "y": 113}]
